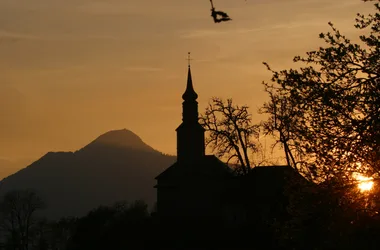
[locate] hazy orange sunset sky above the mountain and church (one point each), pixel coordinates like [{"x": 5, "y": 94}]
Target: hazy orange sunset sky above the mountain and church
[{"x": 71, "y": 70}]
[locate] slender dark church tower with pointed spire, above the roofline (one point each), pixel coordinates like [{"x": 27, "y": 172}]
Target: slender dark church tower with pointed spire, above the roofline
[{"x": 190, "y": 134}]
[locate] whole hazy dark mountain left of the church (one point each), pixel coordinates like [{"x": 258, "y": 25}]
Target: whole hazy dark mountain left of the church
[{"x": 116, "y": 166}]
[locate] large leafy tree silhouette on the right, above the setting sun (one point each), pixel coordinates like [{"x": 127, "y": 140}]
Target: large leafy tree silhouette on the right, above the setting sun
[{"x": 326, "y": 114}]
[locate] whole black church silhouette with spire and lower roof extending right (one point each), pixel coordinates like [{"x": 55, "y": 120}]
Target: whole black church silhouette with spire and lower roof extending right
[{"x": 201, "y": 190}]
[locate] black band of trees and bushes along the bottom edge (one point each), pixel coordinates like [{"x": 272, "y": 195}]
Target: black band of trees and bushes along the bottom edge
[{"x": 318, "y": 219}]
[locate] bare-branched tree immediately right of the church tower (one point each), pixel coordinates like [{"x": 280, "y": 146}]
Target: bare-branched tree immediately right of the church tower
[{"x": 231, "y": 133}]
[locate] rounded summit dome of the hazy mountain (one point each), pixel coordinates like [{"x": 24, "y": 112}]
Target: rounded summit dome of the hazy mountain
[{"x": 122, "y": 138}]
